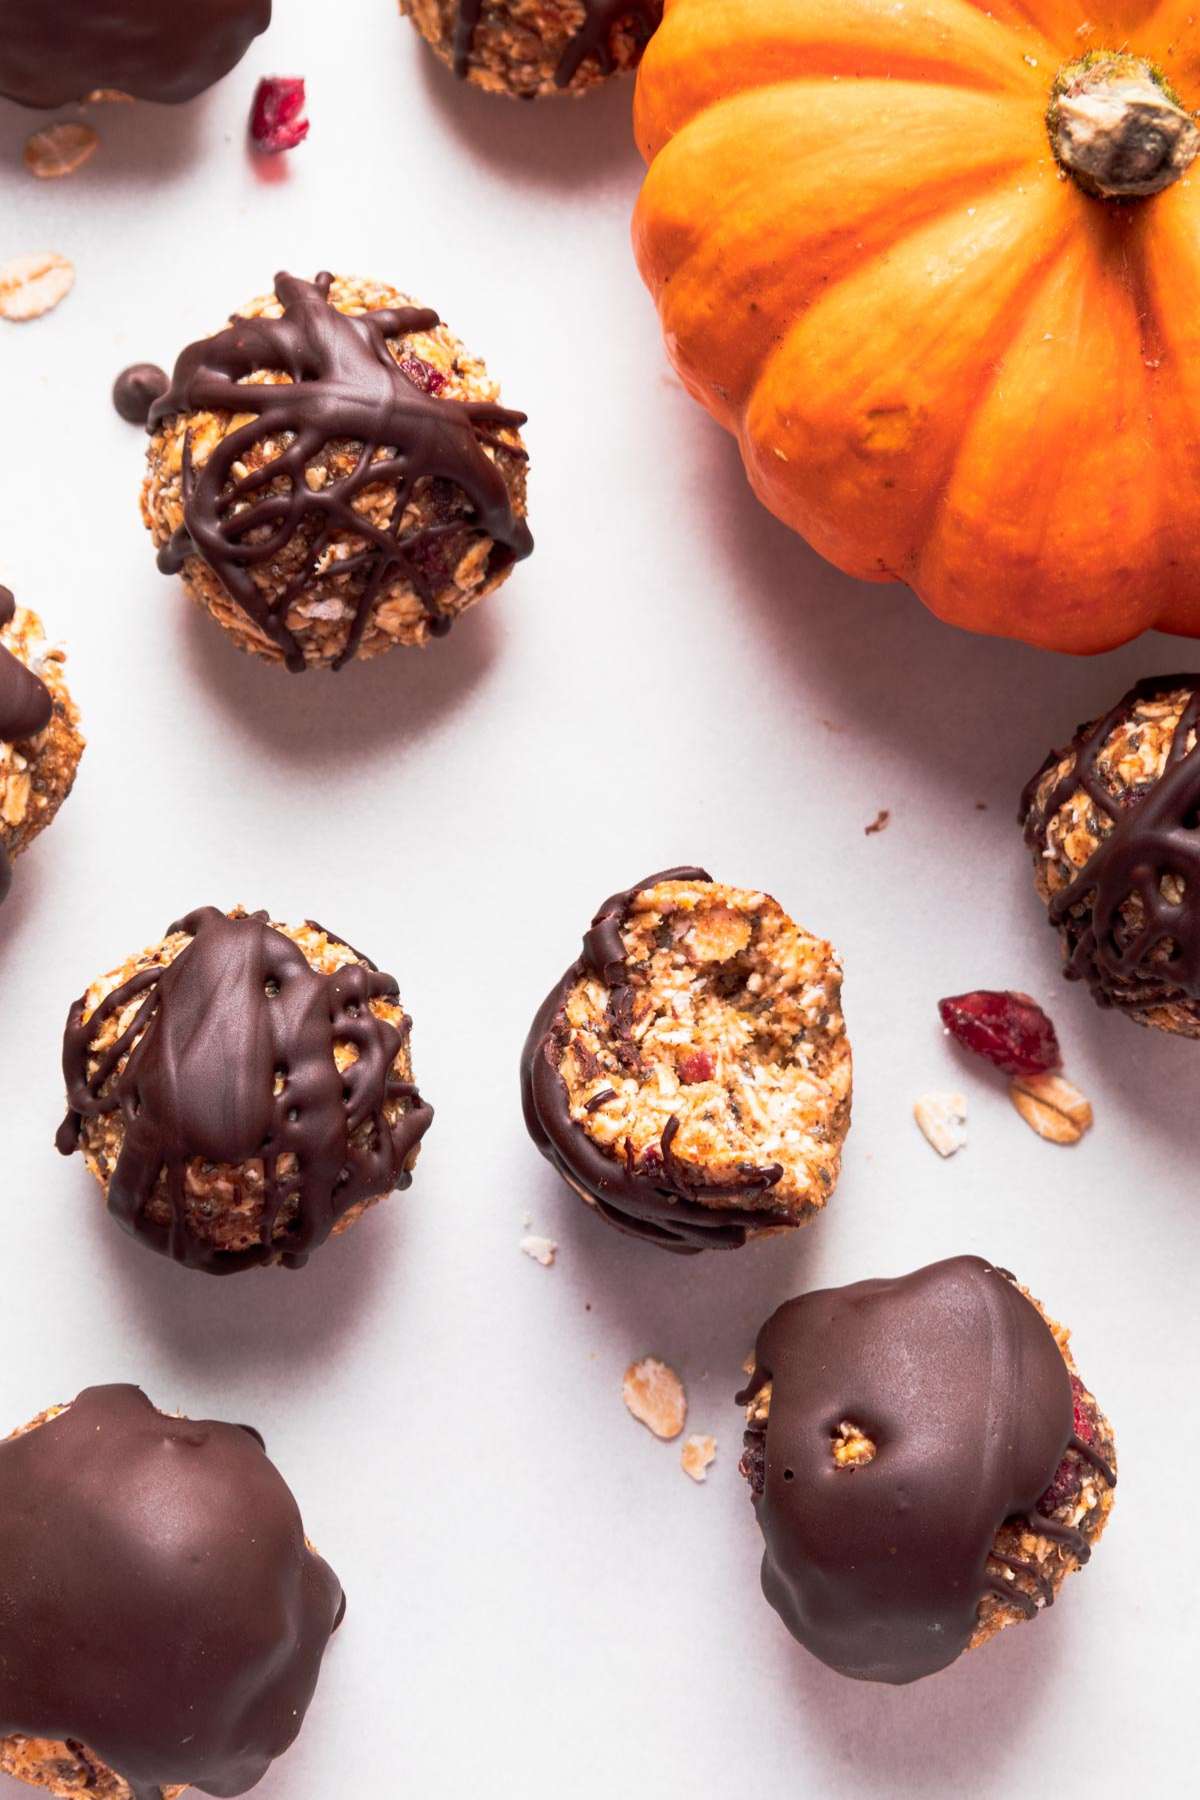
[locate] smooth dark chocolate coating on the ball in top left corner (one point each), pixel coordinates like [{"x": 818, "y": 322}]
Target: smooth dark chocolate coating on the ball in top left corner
[{"x": 60, "y": 51}]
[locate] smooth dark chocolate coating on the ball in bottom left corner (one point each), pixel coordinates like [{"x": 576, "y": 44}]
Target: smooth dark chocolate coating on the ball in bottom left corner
[{"x": 161, "y": 1605}]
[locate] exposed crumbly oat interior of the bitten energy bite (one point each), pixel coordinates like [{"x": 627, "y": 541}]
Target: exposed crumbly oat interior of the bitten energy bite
[{"x": 722, "y": 1066}]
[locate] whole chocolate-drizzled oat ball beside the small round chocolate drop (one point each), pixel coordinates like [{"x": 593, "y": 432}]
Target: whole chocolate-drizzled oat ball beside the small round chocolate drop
[{"x": 334, "y": 474}]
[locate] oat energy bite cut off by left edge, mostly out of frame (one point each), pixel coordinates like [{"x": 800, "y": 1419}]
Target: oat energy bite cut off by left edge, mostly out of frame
[{"x": 40, "y": 742}]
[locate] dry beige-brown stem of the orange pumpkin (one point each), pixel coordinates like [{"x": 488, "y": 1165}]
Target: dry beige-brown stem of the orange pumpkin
[{"x": 1118, "y": 129}]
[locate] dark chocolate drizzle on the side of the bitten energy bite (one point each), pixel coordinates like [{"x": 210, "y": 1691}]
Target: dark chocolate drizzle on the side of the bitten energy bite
[{"x": 661, "y": 1203}]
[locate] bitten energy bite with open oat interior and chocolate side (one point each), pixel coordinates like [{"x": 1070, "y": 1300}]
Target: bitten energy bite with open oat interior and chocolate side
[{"x": 690, "y": 1075}]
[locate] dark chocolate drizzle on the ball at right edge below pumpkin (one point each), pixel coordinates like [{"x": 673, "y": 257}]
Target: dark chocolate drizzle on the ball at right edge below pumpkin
[{"x": 1156, "y": 834}]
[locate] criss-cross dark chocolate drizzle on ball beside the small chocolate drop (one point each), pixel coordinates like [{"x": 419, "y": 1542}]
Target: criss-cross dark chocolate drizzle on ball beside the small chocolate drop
[{"x": 345, "y": 384}]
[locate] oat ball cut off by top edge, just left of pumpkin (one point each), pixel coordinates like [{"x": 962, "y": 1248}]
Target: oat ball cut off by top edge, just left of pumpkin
[{"x": 535, "y": 48}]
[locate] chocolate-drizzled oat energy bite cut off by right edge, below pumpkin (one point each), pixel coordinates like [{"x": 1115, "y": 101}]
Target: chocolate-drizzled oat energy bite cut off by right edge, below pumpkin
[{"x": 1113, "y": 823}]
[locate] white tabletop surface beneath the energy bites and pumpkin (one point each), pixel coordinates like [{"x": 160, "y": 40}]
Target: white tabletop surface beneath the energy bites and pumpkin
[{"x": 539, "y": 1601}]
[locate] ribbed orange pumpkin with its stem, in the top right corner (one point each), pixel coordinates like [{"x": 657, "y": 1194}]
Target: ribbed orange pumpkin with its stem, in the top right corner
[{"x": 875, "y": 237}]
